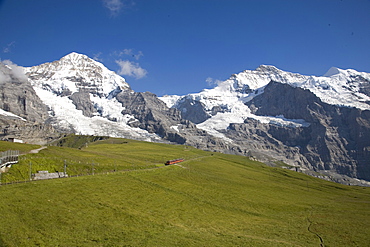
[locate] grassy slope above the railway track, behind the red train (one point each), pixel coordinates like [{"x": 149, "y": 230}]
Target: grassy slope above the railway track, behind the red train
[{"x": 100, "y": 155}]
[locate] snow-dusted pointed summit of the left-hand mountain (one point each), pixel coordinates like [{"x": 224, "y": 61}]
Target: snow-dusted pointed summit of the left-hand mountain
[{"x": 75, "y": 72}]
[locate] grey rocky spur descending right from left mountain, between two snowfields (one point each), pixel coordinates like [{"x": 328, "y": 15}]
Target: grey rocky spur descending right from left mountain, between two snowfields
[{"x": 150, "y": 113}]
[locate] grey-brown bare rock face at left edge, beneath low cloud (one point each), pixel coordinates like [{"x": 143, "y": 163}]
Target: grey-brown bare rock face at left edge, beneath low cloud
[{"x": 17, "y": 96}]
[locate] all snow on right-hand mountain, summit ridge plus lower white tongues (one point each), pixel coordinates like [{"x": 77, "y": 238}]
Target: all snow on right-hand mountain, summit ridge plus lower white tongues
[{"x": 225, "y": 103}]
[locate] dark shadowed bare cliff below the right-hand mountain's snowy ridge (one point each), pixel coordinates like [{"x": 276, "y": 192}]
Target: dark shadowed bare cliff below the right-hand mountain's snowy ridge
[{"x": 338, "y": 138}]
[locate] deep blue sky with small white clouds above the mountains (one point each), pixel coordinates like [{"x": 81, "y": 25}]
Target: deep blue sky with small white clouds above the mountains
[{"x": 182, "y": 46}]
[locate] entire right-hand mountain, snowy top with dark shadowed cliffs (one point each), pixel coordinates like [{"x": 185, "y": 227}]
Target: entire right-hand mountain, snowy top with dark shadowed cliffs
[{"x": 311, "y": 123}]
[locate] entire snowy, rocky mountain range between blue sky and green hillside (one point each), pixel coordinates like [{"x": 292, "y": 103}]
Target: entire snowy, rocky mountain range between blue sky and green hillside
[{"x": 319, "y": 125}]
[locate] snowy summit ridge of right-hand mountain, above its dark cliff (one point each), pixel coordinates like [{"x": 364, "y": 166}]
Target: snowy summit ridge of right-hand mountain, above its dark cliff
[{"x": 338, "y": 87}]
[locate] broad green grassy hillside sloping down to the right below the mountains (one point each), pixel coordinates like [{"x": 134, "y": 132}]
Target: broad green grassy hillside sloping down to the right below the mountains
[{"x": 212, "y": 199}]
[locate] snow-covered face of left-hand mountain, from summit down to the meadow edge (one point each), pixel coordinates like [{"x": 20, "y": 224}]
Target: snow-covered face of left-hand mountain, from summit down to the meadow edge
[{"x": 80, "y": 93}]
